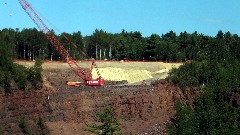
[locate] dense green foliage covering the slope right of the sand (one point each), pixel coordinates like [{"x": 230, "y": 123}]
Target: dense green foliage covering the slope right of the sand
[{"x": 216, "y": 110}]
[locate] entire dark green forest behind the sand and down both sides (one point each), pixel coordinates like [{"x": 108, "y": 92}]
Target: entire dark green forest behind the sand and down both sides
[{"x": 213, "y": 71}]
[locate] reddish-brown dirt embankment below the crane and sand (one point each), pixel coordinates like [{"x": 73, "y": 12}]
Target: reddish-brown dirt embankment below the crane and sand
[{"x": 66, "y": 110}]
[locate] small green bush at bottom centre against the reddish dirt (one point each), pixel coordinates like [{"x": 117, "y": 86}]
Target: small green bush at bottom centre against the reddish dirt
[{"x": 107, "y": 124}]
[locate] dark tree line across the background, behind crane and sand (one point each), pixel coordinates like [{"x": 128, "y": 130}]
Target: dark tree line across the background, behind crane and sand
[{"x": 29, "y": 44}]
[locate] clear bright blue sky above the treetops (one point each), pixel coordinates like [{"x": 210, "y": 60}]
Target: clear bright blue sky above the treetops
[{"x": 146, "y": 16}]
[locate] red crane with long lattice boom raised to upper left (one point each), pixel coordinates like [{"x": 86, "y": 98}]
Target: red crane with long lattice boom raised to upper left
[{"x": 87, "y": 78}]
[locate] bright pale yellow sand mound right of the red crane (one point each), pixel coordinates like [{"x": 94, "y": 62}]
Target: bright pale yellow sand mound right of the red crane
[{"x": 135, "y": 71}]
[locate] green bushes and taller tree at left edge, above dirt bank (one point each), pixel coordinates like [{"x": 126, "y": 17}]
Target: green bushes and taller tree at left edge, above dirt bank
[{"x": 12, "y": 75}]
